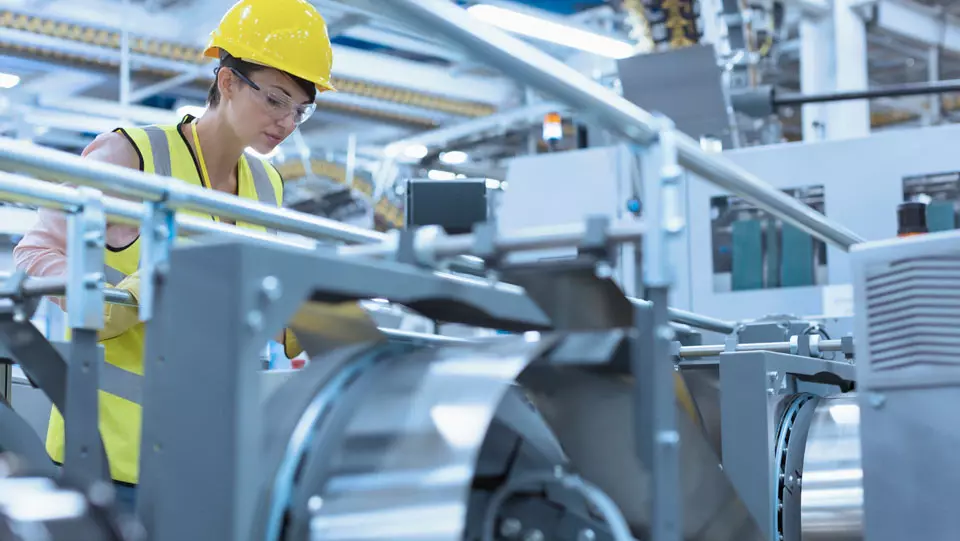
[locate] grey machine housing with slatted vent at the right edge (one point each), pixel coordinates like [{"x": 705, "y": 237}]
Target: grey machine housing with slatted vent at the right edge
[{"x": 909, "y": 379}]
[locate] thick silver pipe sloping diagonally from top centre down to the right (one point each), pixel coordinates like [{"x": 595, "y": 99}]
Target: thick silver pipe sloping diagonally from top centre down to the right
[{"x": 551, "y": 76}]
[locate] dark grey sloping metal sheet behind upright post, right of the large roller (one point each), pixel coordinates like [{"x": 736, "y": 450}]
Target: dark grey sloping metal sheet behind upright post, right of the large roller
[{"x": 592, "y": 416}]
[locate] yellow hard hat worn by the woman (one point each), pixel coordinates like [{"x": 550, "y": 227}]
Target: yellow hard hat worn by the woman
[{"x": 288, "y": 35}]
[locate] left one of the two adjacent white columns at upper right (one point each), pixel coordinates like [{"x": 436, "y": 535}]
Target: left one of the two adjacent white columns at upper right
[{"x": 816, "y": 72}]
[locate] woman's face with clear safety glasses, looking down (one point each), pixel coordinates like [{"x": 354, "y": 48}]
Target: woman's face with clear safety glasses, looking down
[{"x": 266, "y": 107}]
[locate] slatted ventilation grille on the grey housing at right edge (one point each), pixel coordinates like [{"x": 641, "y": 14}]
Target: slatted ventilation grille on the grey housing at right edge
[{"x": 913, "y": 316}]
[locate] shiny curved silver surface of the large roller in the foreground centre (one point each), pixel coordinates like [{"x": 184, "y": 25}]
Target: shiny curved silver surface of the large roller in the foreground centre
[{"x": 404, "y": 465}]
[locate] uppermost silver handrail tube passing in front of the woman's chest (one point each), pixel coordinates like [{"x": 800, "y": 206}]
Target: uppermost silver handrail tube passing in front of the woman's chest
[{"x": 51, "y": 164}]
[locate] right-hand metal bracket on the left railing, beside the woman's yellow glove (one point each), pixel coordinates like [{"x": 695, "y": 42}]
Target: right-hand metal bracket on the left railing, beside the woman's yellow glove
[{"x": 157, "y": 233}]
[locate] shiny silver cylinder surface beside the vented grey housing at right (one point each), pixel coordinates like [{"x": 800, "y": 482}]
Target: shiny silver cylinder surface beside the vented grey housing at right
[{"x": 832, "y": 493}]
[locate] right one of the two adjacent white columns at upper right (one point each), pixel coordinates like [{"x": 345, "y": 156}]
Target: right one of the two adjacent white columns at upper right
[{"x": 849, "y": 119}]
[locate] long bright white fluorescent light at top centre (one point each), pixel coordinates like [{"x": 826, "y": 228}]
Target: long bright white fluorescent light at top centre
[{"x": 554, "y": 32}]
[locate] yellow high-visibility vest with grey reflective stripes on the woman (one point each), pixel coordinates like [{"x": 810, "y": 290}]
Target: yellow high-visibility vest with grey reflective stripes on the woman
[{"x": 162, "y": 150}]
